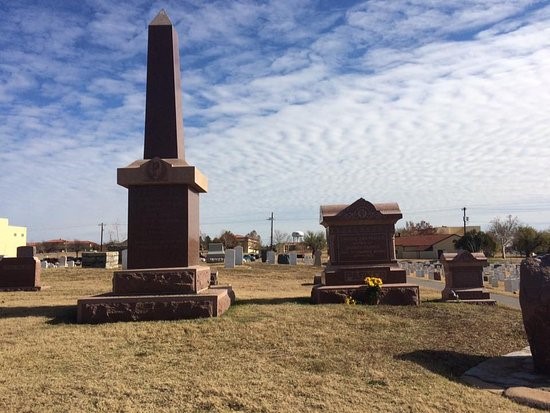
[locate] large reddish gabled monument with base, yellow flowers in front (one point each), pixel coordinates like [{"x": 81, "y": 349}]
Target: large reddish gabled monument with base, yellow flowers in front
[{"x": 361, "y": 244}]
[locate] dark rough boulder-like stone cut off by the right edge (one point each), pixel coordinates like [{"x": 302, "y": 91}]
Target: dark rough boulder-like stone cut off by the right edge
[{"x": 534, "y": 300}]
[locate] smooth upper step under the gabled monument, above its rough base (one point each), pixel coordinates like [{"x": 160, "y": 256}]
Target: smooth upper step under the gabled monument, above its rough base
[{"x": 355, "y": 274}]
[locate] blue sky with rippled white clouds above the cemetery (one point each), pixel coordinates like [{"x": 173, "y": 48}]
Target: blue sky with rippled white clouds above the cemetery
[{"x": 287, "y": 105}]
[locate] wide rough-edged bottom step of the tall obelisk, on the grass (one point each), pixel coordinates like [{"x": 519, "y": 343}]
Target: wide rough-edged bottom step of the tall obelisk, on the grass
[{"x": 108, "y": 308}]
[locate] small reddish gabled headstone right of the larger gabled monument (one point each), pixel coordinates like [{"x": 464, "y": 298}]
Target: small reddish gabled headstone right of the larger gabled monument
[{"x": 464, "y": 277}]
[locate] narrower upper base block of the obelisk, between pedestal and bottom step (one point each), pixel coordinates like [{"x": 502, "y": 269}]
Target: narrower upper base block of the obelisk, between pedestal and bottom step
[{"x": 185, "y": 280}]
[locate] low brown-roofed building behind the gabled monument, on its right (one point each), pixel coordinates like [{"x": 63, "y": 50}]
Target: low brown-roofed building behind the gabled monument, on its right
[{"x": 424, "y": 246}]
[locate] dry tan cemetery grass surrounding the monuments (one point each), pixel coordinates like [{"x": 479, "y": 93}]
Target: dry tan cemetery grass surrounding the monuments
[{"x": 270, "y": 352}]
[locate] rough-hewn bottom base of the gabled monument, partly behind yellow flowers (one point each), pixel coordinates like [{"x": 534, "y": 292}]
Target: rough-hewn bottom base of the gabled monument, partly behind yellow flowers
[{"x": 391, "y": 294}]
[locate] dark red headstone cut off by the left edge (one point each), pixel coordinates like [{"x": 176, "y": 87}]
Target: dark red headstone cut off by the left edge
[{"x": 21, "y": 273}]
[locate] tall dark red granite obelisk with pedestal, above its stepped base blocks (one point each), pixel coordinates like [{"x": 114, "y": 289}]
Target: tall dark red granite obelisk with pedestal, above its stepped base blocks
[{"x": 163, "y": 190}]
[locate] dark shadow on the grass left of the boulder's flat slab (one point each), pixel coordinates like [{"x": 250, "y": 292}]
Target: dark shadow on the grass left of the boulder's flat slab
[{"x": 450, "y": 364}]
